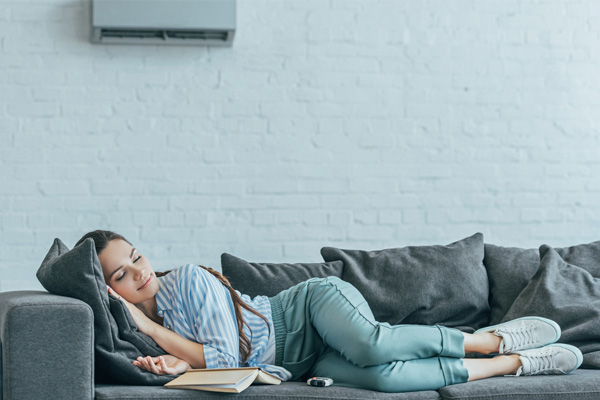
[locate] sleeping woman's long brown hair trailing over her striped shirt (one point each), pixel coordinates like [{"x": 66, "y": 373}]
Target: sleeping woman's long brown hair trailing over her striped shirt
[{"x": 101, "y": 239}]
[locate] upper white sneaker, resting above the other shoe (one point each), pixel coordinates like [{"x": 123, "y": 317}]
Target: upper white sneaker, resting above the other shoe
[{"x": 524, "y": 333}]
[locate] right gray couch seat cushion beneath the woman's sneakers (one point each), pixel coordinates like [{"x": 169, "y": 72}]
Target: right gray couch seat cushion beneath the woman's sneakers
[{"x": 581, "y": 384}]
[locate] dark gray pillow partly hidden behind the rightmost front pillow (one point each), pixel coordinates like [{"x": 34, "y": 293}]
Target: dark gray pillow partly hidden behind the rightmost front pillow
[{"x": 510, "y": 269}]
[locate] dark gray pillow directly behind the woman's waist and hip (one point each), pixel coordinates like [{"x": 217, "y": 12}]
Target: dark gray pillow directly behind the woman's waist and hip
[{"x": 268, "y": 279}]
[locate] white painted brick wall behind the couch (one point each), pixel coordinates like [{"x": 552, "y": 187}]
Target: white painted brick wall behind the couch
[{"x": 353, "y": 123}]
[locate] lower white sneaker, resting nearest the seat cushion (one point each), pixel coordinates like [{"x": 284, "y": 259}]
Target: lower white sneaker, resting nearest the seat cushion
[{"x": 555, "y": 359}]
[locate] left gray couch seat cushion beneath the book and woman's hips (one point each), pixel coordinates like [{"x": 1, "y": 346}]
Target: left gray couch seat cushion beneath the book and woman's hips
[{"x": 285, "y": 391}]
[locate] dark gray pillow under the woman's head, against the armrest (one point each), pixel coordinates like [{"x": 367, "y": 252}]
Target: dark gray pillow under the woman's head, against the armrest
[{"x": 77, "y": 273}]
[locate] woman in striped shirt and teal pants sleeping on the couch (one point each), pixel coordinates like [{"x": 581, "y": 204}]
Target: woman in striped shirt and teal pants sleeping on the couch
[{"x": 320, "y": 327}]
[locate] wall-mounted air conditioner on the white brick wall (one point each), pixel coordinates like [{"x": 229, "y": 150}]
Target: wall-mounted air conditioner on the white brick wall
[{"x": 178, "y": 22}]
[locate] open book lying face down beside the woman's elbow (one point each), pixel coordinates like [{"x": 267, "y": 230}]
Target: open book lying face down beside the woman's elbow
[{"x": 230, "y": 380}]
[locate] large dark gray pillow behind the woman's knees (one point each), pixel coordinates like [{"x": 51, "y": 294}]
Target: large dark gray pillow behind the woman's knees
[{"x": 427, "y": 285}]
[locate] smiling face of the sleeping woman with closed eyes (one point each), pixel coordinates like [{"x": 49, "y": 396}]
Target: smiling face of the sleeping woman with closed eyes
[{"x": 128, "y": 272}]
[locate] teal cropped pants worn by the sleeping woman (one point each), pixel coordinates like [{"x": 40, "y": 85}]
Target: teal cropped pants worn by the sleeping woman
[{"x": 324, "y": 327}]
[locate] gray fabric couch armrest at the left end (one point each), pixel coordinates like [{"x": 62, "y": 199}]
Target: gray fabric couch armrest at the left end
[{"x": 47, "y": 346}]
